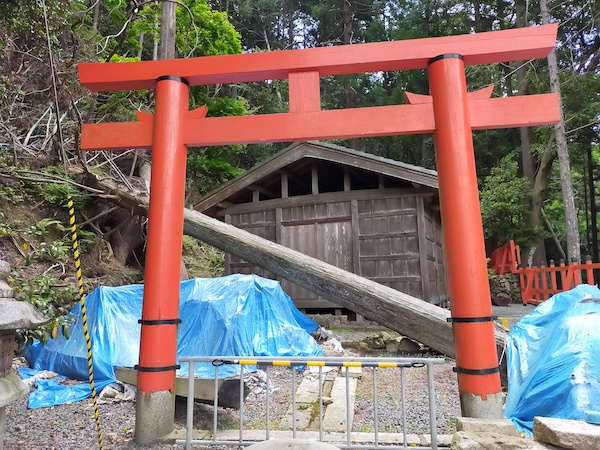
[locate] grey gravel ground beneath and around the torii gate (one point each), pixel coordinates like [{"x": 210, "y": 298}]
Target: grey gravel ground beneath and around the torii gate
[{"x": 72, "y": 427}]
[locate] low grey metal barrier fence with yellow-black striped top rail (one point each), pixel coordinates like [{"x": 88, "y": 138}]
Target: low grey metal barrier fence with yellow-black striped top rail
[{"x": 351, "y": 442}]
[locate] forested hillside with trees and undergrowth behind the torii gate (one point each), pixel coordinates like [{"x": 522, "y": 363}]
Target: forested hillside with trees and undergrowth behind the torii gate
[{"x": 528, "y": 177}]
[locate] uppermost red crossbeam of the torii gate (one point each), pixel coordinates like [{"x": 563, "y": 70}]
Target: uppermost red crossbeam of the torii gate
[{"x": 484, "y": 48}]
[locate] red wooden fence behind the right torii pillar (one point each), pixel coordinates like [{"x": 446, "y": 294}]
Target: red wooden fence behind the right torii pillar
[{"x": 541, "y": 283}]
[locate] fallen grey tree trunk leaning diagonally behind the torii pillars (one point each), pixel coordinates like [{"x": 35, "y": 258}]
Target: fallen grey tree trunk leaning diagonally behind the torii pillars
[{"x": 403, "y": 313}]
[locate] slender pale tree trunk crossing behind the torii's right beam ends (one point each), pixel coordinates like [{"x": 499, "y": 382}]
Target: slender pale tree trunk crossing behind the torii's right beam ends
[{"x": 571, "y": 222}]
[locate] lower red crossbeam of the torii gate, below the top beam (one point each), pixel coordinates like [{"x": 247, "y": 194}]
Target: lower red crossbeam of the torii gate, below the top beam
[{"x": 509, "y": 112}]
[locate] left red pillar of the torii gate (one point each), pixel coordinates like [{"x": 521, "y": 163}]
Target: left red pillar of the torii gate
[{"x": 158, "y": 343}]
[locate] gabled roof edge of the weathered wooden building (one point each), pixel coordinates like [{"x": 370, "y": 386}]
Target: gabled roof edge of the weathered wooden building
[{"x": 324, "y": 152}]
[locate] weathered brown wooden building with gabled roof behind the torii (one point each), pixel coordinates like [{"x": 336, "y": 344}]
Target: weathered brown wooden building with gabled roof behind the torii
[{"x": 369, "y": 215}]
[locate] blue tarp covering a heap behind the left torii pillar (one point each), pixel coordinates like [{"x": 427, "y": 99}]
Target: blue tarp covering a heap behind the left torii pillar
[{"x": 237, "y": 315}]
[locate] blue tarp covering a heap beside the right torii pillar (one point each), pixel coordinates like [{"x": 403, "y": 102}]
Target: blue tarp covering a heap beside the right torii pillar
[{"x": 553, "y": 362}]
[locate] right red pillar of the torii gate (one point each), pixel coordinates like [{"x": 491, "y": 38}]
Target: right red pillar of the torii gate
[{"x": 464, "y": 249}]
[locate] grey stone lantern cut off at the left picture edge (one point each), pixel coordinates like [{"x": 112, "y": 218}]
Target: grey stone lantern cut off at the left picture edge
[{"x": 13, "y": 315}]
